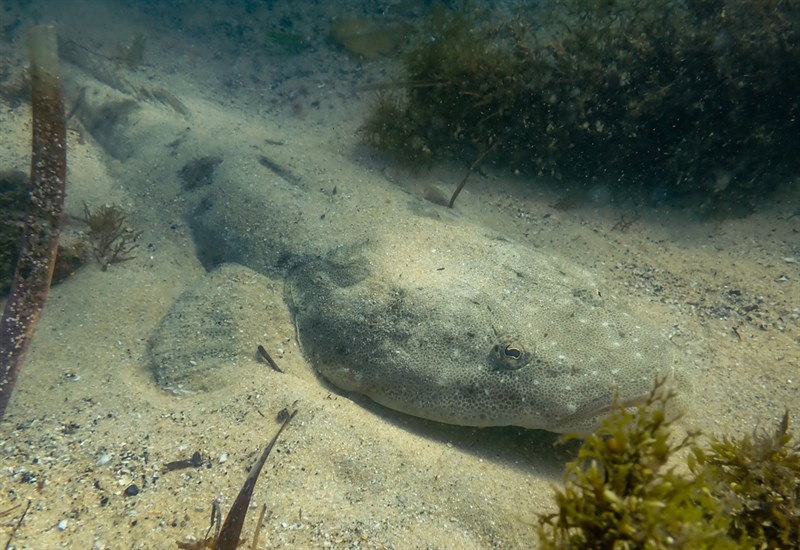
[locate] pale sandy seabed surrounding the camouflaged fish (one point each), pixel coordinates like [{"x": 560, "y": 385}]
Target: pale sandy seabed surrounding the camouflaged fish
[{"x": 86, "y": 421}]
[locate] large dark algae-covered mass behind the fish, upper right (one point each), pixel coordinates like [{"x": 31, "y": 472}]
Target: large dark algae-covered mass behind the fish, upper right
[{"x": 695, "y": 99}]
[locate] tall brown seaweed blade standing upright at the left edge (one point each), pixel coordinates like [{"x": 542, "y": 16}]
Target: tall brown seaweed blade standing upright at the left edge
[{"x": 43, "y": 218}]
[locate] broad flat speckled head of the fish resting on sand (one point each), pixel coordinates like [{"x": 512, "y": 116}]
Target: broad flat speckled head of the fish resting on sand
[{"x": 521, "y": 340}]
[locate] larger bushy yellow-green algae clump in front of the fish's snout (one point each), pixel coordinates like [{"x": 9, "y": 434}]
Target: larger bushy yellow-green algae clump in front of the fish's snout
[{"x": 621, "y": 492}]
